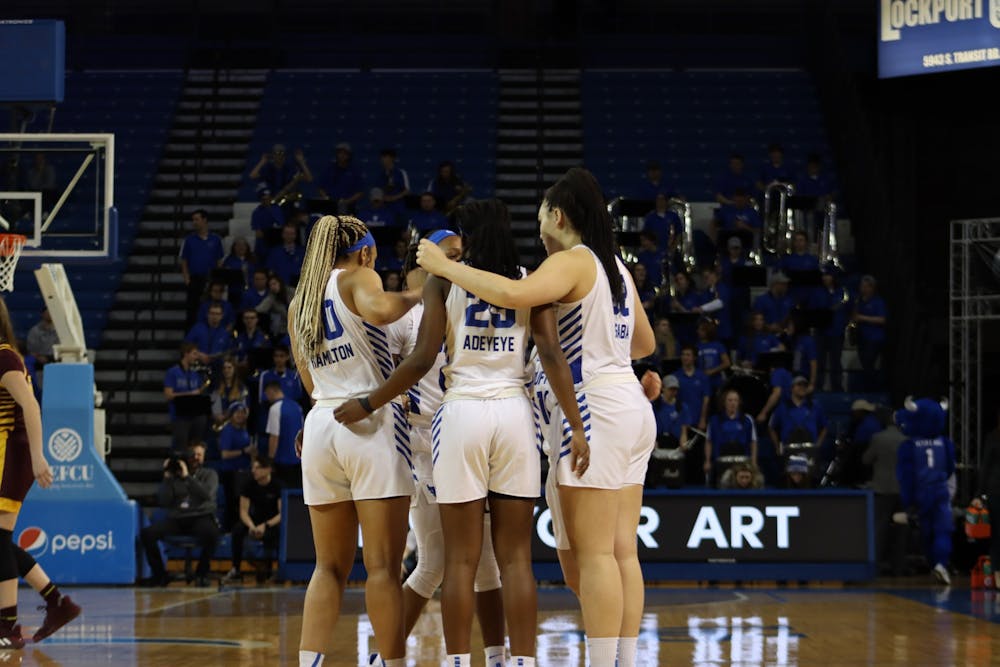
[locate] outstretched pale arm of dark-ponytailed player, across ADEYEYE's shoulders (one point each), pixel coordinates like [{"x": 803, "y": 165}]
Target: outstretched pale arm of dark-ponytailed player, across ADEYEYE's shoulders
[{"x": 552, "y": 281}]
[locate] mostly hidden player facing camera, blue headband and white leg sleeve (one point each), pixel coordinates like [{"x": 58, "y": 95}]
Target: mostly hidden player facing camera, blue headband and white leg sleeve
[{"x": 424, "y": 399}]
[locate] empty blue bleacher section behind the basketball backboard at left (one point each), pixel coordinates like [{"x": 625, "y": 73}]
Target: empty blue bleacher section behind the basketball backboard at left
[{"x": 137, "y": 107}]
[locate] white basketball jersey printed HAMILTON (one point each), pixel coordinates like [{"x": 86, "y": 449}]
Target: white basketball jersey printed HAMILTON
[{"x": 355, "y": 357}]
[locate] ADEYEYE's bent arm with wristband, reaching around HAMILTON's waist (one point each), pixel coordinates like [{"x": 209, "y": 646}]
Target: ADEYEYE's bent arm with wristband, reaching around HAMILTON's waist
[{"x": 415, "y": 366}]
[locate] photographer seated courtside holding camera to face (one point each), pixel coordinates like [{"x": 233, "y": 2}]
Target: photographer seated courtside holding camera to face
[{"x": 188, "y": 493}]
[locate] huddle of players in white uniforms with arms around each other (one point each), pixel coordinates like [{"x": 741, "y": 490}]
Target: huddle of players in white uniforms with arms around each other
[{"x": 437, "y": 404}]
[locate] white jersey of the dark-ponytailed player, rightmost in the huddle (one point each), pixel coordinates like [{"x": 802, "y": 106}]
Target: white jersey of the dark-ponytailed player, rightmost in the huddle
[{"x": 596, "y": 335}]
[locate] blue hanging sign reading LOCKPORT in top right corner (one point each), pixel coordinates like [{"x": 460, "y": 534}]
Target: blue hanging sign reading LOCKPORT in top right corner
[{"x": 923, "y": 36}]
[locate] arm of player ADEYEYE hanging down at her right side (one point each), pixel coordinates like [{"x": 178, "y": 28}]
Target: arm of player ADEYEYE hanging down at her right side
[{"x": 546, "y": 337}]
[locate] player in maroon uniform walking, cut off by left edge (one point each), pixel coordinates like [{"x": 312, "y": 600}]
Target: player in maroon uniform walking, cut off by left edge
[{"x": 22, "y": 462}]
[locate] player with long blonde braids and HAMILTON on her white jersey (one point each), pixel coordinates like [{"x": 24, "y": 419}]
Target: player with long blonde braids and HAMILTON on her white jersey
[{"x": 357, "y": 474}]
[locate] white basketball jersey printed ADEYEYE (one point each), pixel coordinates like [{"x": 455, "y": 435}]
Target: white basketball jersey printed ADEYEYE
[{"x": 485, "y": 347}]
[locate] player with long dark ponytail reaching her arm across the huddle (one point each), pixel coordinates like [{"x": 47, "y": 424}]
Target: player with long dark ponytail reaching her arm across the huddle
[{"x": 596, "y": 305}]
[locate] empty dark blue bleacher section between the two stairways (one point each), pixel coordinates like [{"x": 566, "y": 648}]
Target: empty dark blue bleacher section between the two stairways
[{"x": 427, "y": 117}]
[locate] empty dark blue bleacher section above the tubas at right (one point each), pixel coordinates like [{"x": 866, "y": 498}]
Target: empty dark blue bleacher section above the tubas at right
[{"x": 690, "y": 121}]
